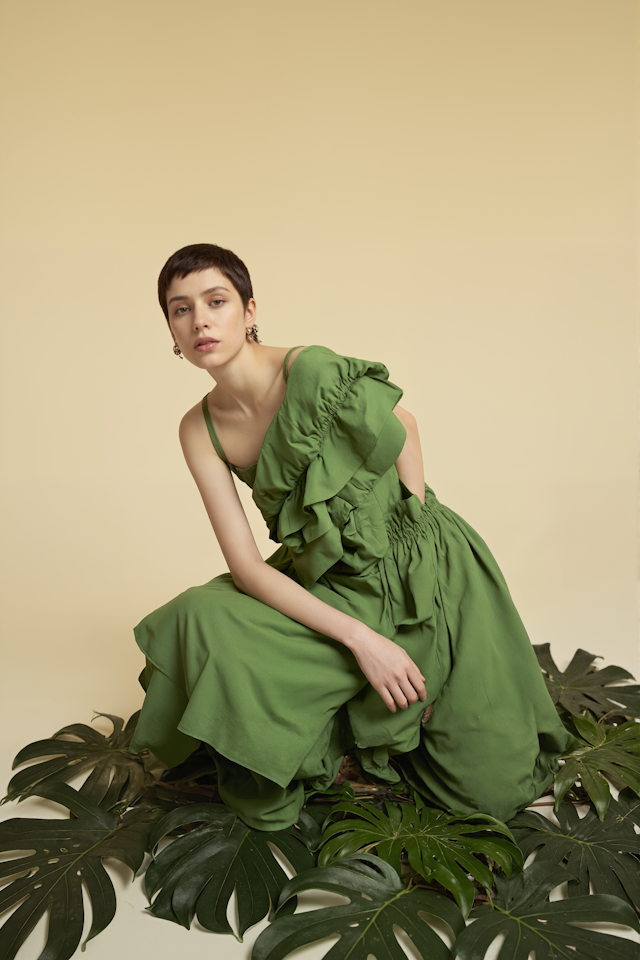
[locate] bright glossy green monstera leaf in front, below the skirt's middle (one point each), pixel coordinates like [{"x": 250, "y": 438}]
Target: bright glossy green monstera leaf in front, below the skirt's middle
[{"x": 439, "y": 845}]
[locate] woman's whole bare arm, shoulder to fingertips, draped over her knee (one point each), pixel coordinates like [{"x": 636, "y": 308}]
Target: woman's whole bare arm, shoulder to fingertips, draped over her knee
[{"x": 387, "y": 667}]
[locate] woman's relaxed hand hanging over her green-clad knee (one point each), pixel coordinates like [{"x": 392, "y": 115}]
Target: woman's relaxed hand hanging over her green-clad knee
[{"x": 389, "y": 670}]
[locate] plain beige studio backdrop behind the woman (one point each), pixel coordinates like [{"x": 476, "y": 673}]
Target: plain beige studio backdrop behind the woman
[{"x": 444, "y": 185}]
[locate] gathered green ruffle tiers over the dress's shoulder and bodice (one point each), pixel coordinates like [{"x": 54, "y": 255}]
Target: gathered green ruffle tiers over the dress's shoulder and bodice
[{"x": 334, "y": 439}]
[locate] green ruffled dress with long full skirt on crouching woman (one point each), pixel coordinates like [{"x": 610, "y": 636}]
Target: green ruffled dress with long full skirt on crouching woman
[{"x": 278, "y": 704}]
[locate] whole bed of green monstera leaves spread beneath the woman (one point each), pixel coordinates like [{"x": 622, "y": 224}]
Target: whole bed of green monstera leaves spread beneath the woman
[{"x": 400, "y": 862}]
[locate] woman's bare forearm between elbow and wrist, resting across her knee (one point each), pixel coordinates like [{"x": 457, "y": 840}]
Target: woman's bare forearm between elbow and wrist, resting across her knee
[{"x": 274, "y": 588}]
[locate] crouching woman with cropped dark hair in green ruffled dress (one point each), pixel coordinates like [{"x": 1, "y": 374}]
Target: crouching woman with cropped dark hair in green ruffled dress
[{"x": 379, "y": 603}]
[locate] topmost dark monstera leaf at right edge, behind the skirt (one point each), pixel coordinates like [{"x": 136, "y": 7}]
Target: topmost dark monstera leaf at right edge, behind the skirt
[{"x": 581, "y": 687}]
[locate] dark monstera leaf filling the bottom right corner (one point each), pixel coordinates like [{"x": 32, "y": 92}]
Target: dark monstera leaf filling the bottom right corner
[{"x": 522, "y": 911}]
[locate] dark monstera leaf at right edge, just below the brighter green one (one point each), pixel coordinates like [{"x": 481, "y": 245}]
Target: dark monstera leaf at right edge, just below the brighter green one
[{"x": 592, "y": 850}]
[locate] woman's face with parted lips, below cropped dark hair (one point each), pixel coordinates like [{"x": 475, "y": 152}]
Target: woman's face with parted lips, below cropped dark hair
[{"x": 207, "y": 317}]
